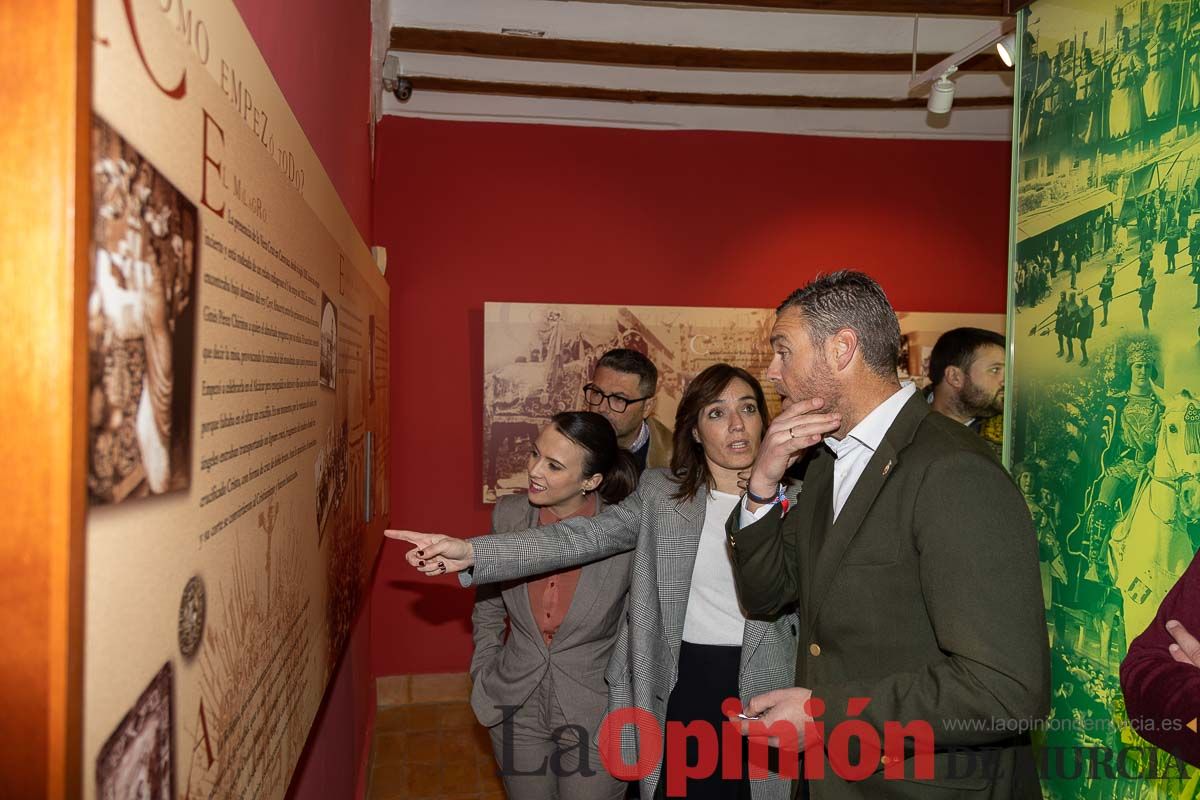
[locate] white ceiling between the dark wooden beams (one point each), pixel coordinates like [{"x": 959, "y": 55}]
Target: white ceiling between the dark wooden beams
[{"x": 699, "y": 27}]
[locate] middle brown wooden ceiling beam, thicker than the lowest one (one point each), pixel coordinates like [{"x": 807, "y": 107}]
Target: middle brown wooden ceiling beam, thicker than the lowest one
[{"x": 479, "y": 44}]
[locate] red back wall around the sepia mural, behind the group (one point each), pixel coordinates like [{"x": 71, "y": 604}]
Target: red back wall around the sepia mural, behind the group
[{"x": 475, "y": 213}]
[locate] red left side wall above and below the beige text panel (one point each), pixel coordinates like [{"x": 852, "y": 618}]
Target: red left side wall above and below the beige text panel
[{"x": 321, "y": 56}]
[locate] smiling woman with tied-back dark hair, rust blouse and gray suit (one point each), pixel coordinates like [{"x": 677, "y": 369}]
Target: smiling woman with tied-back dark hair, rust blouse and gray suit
[{"x": 548, "y": 675}]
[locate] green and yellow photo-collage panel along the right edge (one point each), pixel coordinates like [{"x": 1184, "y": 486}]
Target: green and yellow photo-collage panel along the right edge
[{"x": 1105, "y": 424}]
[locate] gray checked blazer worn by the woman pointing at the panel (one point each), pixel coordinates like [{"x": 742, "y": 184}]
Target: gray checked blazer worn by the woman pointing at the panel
[{"x": 664, "y": 536}]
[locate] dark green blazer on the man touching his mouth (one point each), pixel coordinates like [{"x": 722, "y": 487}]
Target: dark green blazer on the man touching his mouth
[{"x": 925, "y": 598}]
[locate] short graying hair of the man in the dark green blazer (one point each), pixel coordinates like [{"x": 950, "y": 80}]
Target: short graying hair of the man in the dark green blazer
[{"x": 848, "y": 299}]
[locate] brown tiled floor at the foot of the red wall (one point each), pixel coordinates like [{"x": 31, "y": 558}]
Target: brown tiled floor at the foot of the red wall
[{"x": 428, "y": 744}]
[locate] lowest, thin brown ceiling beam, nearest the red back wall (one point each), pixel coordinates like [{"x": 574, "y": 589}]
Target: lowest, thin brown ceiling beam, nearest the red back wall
[{"x": 556, "y": 92}]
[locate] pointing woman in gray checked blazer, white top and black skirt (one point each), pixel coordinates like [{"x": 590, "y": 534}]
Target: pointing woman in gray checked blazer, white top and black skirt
[{"x": 685, "y": 645}]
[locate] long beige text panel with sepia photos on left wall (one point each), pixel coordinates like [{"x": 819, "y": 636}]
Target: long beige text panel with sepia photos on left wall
[{"x": 236, "y": 416}]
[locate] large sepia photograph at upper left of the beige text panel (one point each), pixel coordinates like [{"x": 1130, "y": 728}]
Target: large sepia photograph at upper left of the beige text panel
[{"x": 141, "y": 327}]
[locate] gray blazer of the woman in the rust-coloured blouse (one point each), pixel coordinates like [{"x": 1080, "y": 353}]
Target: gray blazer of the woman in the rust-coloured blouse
[{"x": 506, "y": 672}]
